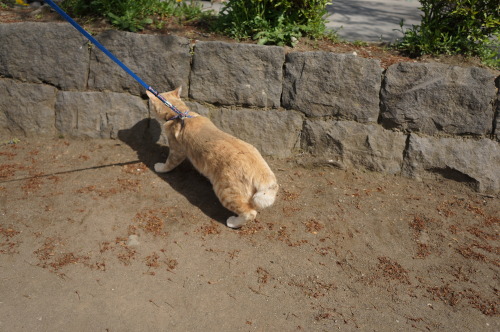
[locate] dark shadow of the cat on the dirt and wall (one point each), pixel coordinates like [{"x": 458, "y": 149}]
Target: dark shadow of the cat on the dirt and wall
[{"x": 184, "y": 179}]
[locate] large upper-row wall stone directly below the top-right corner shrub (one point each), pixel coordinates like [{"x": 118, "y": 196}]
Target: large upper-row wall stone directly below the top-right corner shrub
[{"x": 431, "y": 97}]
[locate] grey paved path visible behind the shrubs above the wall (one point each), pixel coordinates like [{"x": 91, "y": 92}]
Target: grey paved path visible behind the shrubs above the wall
[{"x": 366, "y": 20}]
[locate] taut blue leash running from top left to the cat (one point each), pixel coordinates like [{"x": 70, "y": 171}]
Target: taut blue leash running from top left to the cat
[{"x": 180, "y": 115}]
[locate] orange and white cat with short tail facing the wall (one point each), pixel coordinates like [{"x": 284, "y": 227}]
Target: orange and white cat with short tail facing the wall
[{"x": 241, "y": 178}]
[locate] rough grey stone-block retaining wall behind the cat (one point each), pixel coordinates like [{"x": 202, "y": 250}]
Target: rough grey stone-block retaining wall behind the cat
[{"x": 413, "y": 119}]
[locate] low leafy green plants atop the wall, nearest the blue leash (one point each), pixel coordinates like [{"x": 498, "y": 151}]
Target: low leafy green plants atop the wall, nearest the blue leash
[{"x": 133, "y": 15}]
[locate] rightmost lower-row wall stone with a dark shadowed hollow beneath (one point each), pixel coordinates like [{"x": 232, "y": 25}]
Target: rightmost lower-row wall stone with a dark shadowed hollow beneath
[{"x": 466, "y": 160}]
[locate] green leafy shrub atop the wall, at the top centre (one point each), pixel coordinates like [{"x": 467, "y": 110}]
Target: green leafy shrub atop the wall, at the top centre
[{"x": 278, "y": 22}]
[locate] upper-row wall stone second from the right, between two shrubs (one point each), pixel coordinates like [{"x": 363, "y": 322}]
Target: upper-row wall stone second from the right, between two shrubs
[{"x": 328, "y": 84}]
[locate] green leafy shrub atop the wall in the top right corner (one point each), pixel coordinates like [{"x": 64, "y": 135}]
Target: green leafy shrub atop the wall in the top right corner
[{"x": 466, "y": 27}]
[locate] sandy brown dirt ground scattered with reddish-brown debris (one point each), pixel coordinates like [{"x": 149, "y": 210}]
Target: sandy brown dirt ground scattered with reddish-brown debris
[{"x": 91, "y": 239}]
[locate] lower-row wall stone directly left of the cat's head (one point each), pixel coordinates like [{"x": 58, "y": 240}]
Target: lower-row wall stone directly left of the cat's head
[{"x": 97, "y": 114}]
